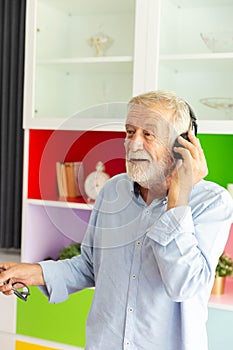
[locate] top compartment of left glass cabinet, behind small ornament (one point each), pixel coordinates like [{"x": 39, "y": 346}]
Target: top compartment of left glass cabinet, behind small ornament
[{"x": 67, "y": 28}]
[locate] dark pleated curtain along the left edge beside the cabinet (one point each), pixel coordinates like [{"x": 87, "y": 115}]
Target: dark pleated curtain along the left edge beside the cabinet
[{"x": 12, "y": 30}]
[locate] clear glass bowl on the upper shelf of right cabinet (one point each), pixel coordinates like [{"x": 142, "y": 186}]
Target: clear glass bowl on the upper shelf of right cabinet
[{"x": 218, "y": 42}]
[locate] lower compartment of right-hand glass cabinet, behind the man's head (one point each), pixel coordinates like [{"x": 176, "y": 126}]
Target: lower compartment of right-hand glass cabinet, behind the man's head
[{"x": 181, "y": 75}]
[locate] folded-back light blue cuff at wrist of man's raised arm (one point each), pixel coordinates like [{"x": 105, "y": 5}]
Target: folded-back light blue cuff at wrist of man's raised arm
[{"x": 172, "y": 223}]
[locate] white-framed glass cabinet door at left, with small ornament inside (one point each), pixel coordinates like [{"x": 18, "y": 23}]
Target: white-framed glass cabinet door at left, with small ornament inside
[{"x": 82, "y": 54}]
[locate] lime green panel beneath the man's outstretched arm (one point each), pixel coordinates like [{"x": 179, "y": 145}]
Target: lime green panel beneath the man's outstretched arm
[{"x": 63, "y": 323}]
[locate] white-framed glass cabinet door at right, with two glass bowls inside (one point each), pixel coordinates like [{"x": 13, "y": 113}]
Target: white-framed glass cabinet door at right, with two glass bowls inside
[{"x": 196, "y": 58}]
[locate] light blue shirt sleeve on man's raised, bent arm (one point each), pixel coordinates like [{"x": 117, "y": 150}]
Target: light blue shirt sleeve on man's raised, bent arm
[{"x": 187, "y": 243}]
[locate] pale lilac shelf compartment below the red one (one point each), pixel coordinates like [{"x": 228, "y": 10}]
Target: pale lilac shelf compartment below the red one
[{"x": 49, "y": 229}]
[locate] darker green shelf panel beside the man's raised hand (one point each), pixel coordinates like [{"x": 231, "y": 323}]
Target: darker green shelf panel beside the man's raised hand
[{"x": 218, "y": 149}]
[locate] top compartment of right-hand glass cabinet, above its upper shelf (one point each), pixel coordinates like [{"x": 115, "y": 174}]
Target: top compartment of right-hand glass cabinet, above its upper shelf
[{"x": 177, "y": 32}]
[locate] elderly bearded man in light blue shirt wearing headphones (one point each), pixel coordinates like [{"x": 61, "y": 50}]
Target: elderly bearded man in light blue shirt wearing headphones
[{"x": 153, "y": 240}]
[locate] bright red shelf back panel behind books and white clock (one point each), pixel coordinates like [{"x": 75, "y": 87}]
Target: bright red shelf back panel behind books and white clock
[{"x": 46, "y": 147}]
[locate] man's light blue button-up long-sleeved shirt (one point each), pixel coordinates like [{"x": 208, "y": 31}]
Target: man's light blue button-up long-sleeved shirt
[{"x": 152, "y": 269}]
